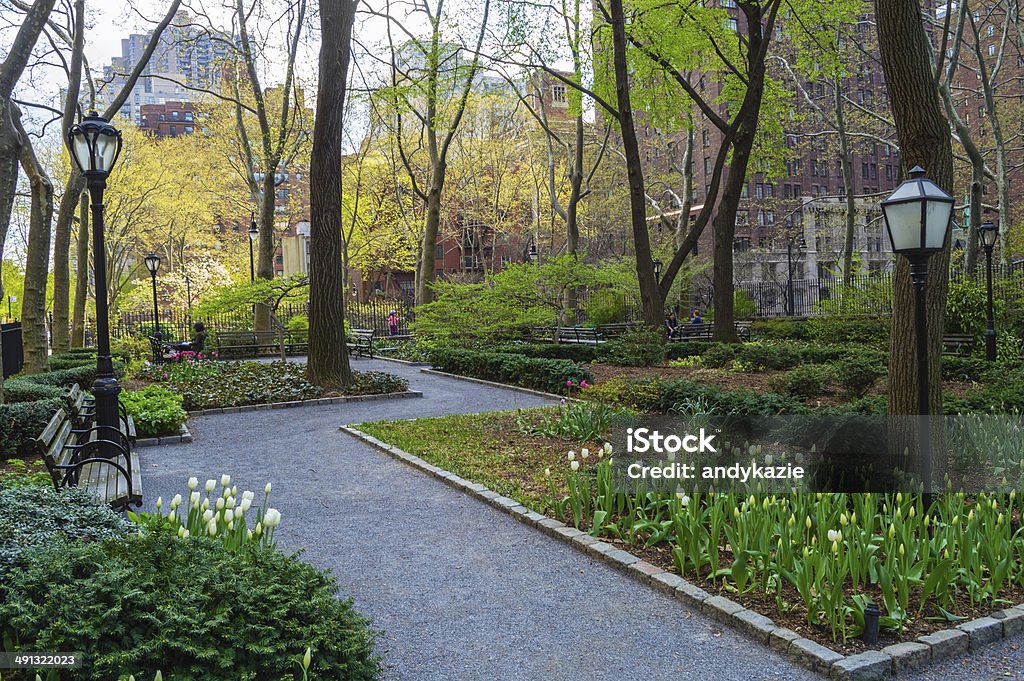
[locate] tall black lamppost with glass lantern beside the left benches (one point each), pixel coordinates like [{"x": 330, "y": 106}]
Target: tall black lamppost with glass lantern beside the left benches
[{"x": 95, "y": 146}]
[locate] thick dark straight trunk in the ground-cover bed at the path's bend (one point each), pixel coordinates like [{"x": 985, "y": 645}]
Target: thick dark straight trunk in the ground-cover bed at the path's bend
[{"x": 328, "y": 358}]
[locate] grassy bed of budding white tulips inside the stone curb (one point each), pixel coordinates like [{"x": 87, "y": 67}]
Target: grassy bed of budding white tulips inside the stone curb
[{"x": 810, "y": 562}]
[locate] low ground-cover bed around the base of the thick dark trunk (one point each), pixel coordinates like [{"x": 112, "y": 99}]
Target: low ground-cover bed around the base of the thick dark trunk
[{"x": 220, "y": 385}]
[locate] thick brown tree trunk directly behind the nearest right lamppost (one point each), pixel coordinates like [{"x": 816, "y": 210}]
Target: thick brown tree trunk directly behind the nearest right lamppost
[{"x": 924, "y": 140}]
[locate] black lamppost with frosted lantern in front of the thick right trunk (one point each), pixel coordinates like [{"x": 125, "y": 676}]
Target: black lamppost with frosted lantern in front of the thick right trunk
[{"x": 918, "y": 217}]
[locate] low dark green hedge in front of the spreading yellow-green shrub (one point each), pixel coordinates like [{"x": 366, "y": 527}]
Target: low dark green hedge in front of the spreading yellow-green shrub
[{"x": 539, "y": 374}]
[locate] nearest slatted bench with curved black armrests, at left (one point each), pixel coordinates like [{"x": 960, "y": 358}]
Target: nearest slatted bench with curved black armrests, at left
[{"x": 98, "y": 459}]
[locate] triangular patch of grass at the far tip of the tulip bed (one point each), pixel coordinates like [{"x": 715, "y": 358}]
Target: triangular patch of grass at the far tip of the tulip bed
[{"x": 486, "y": 449}]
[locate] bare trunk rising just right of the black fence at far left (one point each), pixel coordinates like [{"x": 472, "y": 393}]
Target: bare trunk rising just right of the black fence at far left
[{"x": 37, "y": 261}]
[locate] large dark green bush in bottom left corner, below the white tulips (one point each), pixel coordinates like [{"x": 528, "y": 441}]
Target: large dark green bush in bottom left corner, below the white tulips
[{"x": 207, "y": 614}]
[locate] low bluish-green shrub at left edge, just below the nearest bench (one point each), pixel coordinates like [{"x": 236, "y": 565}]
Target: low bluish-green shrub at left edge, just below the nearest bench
[{"x": 39, "y": 517}]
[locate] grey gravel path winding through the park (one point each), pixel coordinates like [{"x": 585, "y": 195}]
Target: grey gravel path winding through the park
[{"x": 462, "y": 591}]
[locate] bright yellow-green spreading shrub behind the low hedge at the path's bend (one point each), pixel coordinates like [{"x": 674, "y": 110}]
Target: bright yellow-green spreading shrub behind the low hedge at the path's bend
[{"x": 498, "y": 309}]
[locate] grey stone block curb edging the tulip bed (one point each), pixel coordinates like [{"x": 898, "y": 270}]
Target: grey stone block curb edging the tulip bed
[{"x": 868, "y": 666}]
